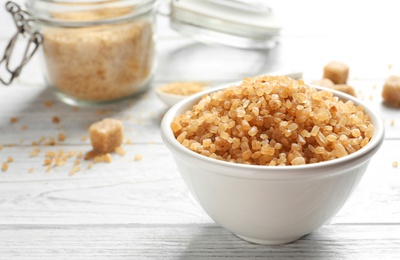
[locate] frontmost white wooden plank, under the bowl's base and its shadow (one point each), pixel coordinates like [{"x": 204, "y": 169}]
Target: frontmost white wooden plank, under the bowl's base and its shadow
[{"x": 191, "y": 242}]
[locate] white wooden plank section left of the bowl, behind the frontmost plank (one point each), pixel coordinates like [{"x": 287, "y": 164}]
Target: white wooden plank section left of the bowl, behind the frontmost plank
[{"x": 124, "y": 191}]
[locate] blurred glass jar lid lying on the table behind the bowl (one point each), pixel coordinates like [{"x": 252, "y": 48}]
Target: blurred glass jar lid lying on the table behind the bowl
[{"x": 249, "y": 24}]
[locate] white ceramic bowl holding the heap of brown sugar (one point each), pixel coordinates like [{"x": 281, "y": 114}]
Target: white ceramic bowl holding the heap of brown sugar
[{"x": 270, "y": 204}]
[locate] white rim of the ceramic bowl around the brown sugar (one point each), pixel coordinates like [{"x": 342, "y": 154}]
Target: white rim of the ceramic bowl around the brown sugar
[{"x": 362, "y": 154}]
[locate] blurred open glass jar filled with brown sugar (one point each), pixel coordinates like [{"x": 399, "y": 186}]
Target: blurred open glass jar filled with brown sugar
[{"x": 95, "y": 51}]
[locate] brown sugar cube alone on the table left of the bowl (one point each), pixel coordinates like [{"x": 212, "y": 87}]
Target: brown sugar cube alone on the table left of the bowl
[{"x": 106, "y": 135}]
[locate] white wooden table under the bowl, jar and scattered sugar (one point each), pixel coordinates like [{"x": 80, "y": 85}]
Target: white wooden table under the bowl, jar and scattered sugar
[{"x": 131, "y": 209}]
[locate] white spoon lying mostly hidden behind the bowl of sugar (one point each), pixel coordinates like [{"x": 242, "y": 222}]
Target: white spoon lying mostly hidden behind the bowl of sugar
[{"x": 172, "y": 99}]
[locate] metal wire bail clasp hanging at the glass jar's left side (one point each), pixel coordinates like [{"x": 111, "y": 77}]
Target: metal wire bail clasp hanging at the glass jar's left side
[{"x": 22, "y": 21}]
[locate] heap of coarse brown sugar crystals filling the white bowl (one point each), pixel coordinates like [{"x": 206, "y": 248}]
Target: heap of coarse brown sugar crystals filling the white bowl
[{"x": 273, "y": 120}]
